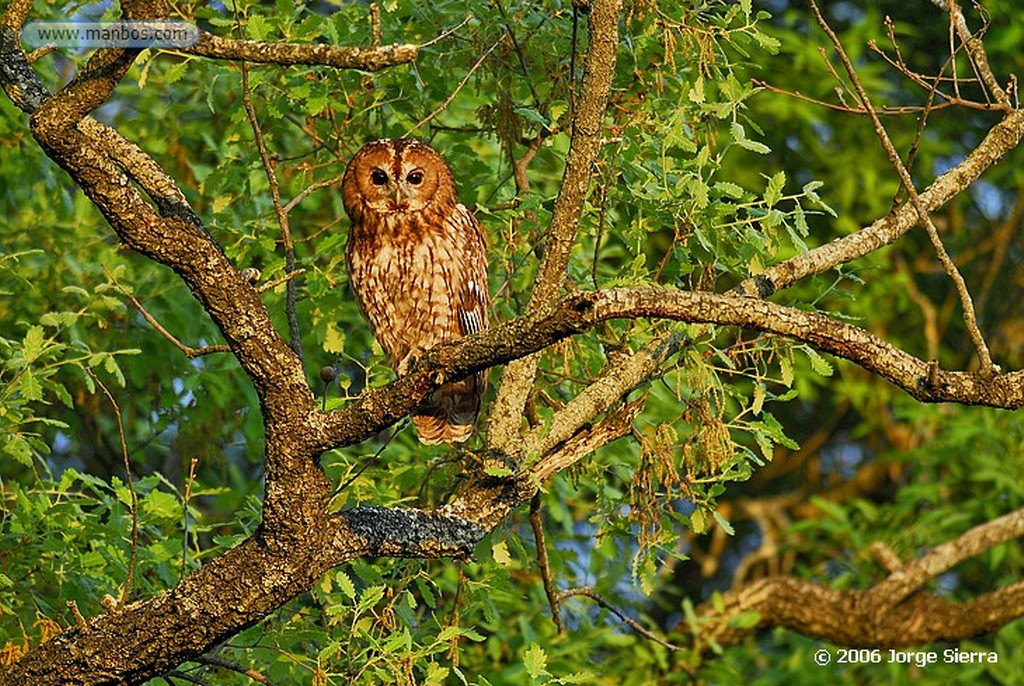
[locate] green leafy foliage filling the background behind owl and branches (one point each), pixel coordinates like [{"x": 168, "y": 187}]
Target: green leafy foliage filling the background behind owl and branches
[{"x": 754, "y": 455}]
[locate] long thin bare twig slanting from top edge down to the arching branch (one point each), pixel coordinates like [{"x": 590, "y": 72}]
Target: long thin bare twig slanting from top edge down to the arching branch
[{"x": 970, "y": 319}]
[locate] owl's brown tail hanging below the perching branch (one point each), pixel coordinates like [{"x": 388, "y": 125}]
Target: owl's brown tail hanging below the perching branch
[{"x": 449, "y": 416}]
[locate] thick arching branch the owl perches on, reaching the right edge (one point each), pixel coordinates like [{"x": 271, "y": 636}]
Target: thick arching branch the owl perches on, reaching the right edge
[{"x": 580, "y": 313}]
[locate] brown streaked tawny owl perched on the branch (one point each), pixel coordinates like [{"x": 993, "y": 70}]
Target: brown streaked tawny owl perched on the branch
[{"x": 417, "y": 266}]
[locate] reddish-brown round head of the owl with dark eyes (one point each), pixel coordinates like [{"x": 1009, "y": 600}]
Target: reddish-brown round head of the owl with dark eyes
[{"x": 397, "y": 176}]
